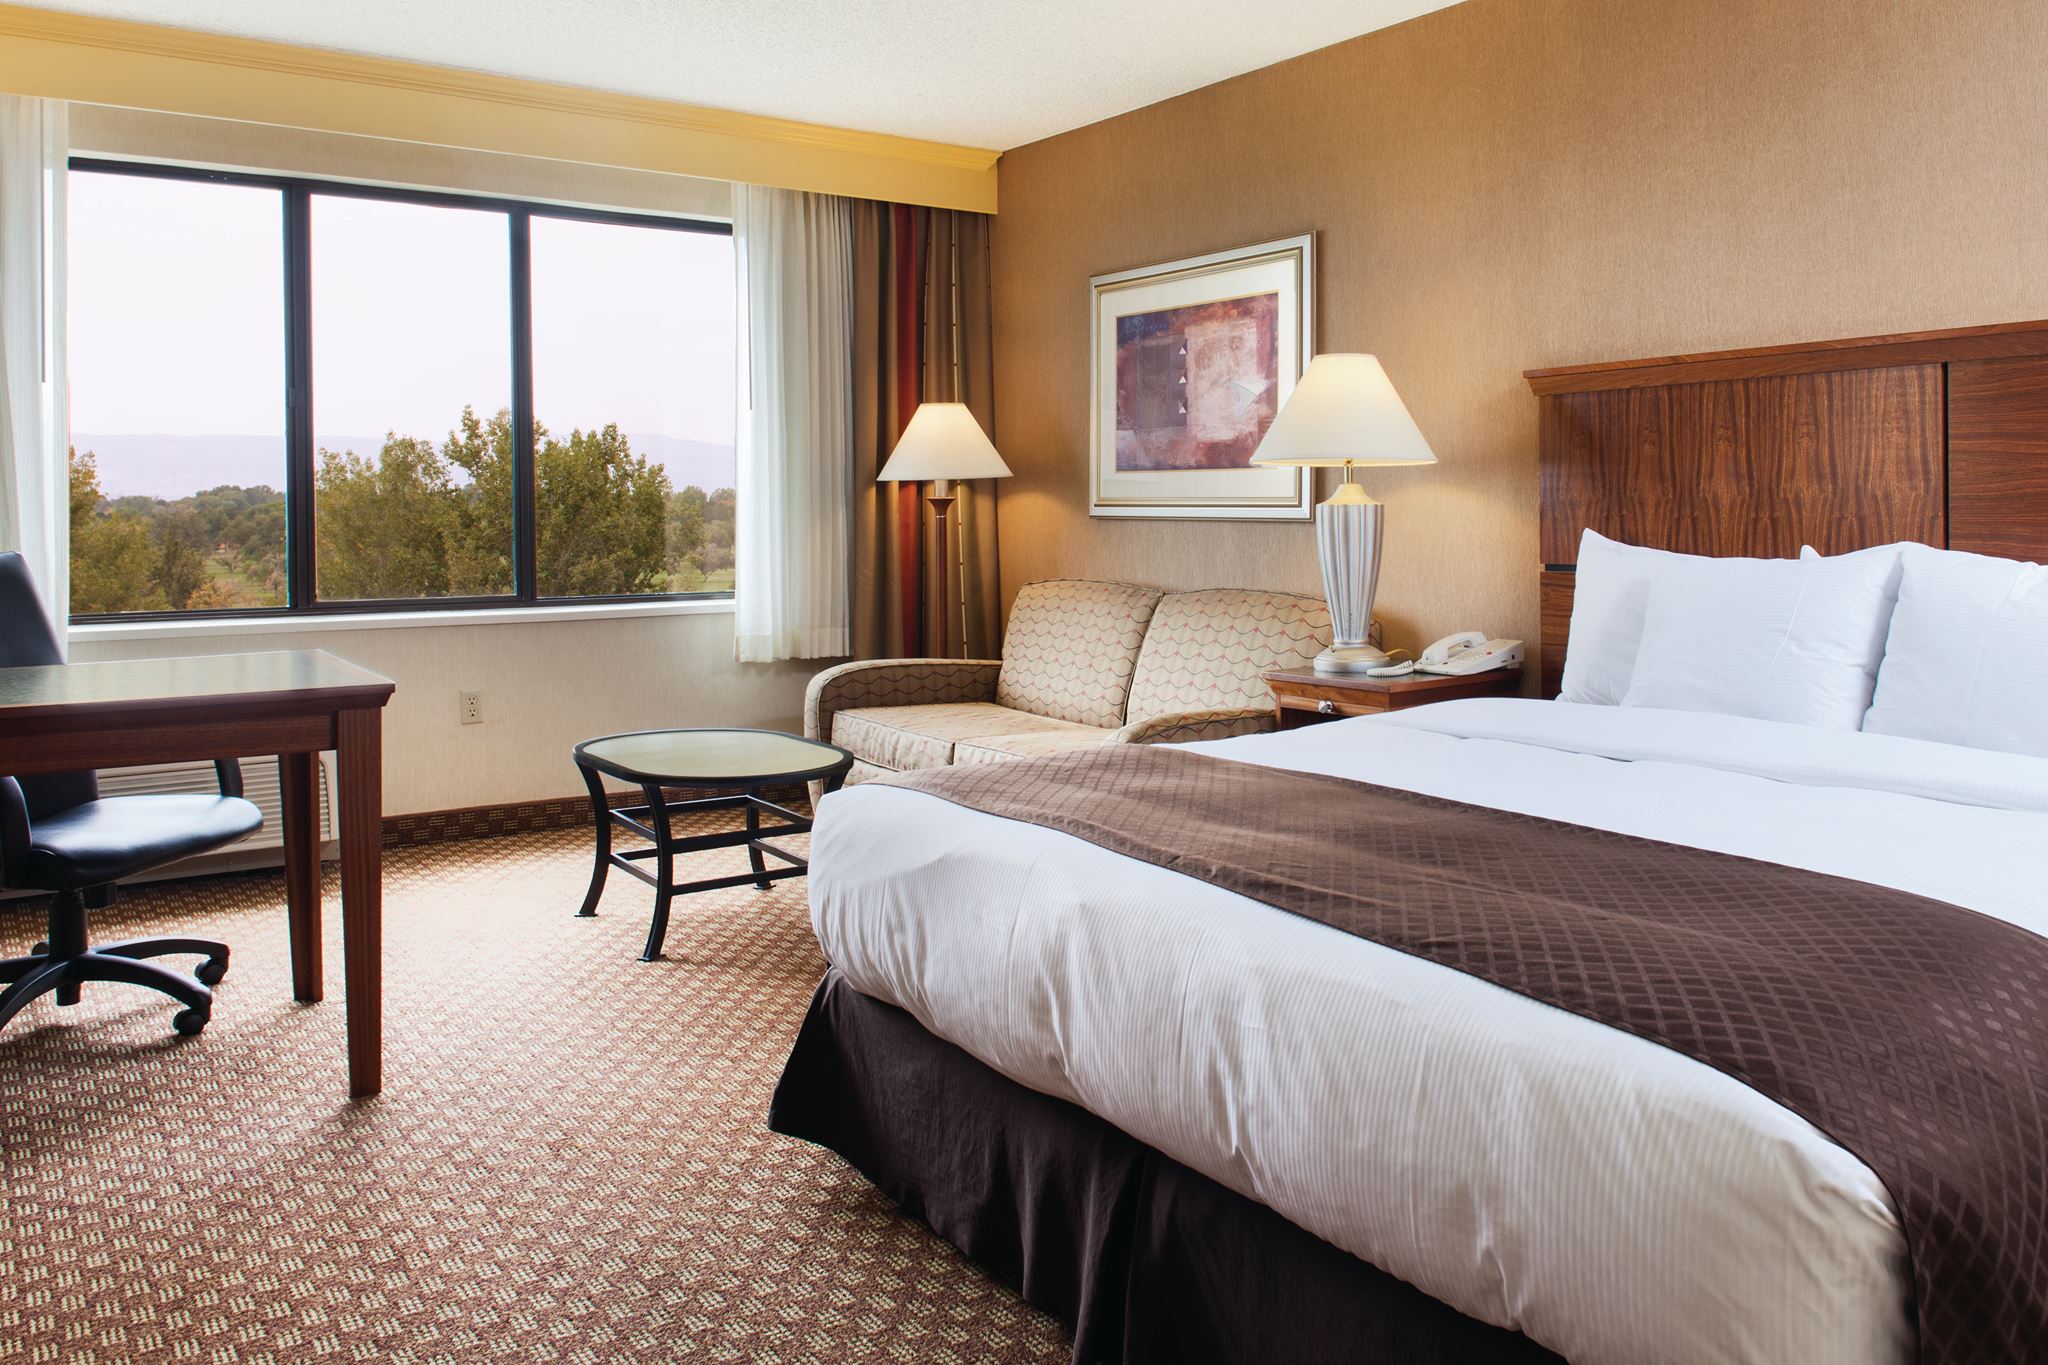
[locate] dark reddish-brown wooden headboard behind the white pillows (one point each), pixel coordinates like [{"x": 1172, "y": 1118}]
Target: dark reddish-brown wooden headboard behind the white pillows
[{"x": 1936, "y": 437}]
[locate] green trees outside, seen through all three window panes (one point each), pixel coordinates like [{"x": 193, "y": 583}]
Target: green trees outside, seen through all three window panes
[{"x": 413, "y": 521}]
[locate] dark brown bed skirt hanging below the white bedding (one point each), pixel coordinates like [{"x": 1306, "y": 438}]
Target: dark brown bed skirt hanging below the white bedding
[{"x": 1146, "y": 1262}]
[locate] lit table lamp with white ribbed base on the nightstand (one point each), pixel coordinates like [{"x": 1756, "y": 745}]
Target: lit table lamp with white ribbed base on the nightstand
[{"x": 1345, "y": 412}]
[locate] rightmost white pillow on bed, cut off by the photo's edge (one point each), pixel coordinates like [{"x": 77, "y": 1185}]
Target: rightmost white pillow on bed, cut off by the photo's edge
[{"x": 1967, "y": 660}]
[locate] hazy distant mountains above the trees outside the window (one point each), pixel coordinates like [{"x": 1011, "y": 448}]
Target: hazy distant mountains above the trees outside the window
[{"x": 161, "y": 466}]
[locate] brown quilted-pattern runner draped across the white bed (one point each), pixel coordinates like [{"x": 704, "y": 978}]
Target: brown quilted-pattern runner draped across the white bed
[{"x": 1912, "y": 1032}]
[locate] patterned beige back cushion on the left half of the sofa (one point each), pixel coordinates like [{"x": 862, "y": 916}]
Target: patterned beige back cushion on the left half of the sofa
[{"x": 1070, "y": 650}]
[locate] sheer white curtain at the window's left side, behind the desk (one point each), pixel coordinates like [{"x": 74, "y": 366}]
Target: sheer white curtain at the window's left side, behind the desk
[{"x": 36, "y": 484}]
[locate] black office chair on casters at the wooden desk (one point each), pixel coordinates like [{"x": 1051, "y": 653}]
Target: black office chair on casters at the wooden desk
[{"x": 58, "y": 834}]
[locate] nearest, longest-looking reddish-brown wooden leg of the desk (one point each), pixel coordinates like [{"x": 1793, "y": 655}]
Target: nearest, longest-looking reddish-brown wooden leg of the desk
[{"x": 359, "y": 750}]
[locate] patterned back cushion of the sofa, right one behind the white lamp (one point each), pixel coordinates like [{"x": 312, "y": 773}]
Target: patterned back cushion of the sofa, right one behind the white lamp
[{"x": 1207, "y": 650}]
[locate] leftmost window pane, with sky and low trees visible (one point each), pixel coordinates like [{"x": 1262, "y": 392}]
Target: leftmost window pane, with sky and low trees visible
[{"x": 177, "y": 331}]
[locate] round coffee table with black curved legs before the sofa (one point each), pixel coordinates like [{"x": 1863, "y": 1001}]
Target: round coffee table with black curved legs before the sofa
[{"x": 736, "y": 762}]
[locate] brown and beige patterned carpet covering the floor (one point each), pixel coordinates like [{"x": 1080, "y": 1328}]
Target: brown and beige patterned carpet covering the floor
[{"x": 568, "y": 1163}]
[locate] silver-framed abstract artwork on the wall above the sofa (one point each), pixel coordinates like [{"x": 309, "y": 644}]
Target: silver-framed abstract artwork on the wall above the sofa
[{"x": 1191, "y": 363}]
